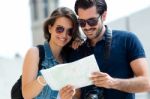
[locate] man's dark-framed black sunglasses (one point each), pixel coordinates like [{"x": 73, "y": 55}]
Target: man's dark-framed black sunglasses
[{"x": 90, "y": 22}]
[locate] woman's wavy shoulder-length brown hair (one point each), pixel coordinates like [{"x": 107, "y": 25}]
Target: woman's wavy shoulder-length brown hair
[{"x": 61, "y": 12}]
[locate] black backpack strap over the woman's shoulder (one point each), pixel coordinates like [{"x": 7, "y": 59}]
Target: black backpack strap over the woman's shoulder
[{"x": 41, "y": 55}]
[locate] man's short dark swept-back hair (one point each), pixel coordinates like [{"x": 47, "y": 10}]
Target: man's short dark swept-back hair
[{"x": 101, "y": 5}]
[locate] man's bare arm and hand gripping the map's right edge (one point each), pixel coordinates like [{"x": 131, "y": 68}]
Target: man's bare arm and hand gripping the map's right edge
[{"x": 140, "y": 83}]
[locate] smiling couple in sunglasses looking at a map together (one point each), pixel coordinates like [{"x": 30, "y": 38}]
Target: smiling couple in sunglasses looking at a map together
[{"x": 123, "y": 73}]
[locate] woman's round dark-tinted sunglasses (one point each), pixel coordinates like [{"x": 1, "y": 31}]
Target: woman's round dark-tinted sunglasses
[{"x": 61, "y": 29}]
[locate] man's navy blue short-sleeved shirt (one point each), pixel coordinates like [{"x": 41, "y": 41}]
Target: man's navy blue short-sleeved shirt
[{"x": 125, "y": 47}]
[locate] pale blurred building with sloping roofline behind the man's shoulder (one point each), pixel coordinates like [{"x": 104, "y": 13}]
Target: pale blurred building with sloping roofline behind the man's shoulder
[{"x": 138, "y": 23}]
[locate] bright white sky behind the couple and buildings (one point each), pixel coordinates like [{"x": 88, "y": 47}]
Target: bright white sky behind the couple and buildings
[{"x": 15, "y": 33}]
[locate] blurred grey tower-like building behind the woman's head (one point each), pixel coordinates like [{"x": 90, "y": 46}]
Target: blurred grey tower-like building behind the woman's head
[{"x": 40, "y": 9}]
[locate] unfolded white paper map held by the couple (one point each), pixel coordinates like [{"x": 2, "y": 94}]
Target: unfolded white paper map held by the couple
[{"x": 76, "y": 73}]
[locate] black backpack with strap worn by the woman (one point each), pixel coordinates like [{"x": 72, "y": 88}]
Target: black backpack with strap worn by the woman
[{"x": 16, "y": 91}]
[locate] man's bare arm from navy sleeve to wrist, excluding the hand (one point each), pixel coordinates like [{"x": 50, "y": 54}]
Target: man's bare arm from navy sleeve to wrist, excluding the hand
[{"x": 140, "y": 82}]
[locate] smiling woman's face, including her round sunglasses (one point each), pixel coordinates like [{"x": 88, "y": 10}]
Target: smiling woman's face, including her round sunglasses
[{"x": 61, "y": 31}]
